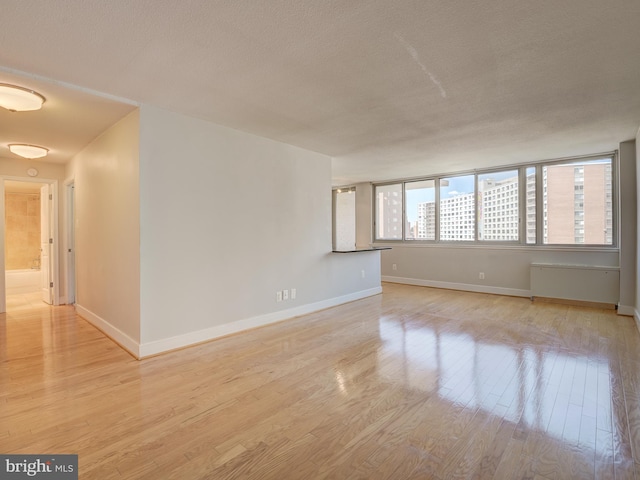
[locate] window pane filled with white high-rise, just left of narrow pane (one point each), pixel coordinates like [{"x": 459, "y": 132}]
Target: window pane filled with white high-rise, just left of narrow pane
[{"x": 498, "y": 223}]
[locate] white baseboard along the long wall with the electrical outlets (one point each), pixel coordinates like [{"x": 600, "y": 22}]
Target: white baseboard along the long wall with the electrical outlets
[{"x": 180, "y": 341}]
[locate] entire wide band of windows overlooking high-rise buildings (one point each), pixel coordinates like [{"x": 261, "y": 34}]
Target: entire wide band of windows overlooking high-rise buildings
[{"x": 548, "y": 203}]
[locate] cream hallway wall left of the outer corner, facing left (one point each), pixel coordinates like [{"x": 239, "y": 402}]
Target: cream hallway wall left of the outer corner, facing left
[{"x": 107, "y": 233}]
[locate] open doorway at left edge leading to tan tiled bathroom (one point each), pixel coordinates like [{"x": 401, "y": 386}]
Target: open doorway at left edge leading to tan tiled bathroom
[{"x": 29, "y": 237}]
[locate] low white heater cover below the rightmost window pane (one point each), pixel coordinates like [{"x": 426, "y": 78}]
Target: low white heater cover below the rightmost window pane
[{"x": 576, "y": 282}]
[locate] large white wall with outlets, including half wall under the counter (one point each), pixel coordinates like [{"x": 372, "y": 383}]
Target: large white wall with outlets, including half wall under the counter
[{"x": 227, "y": 219}]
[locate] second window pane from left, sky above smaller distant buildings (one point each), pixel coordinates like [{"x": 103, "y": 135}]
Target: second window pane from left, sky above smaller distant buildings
[{"x": 420, "y": 208}]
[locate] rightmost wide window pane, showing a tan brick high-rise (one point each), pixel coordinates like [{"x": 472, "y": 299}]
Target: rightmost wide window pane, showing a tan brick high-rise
[{"x": 576, "y": 205}]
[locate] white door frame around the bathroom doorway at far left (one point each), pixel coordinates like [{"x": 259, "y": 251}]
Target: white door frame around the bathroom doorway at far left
[{"x": 55, "y": 270}]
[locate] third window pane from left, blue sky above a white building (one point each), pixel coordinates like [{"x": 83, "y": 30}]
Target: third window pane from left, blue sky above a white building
[{"x": 457, "y": 208}]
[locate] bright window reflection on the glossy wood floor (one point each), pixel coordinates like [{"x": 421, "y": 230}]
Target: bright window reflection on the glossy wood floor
[{"x": 549, "y": 391}]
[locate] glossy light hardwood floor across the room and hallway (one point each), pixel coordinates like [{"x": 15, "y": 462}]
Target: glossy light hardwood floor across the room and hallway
[{"x": 414, "y": 383}]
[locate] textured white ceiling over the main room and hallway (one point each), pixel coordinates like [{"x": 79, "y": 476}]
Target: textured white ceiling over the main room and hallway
[{"x": 388, "y": 88}]
